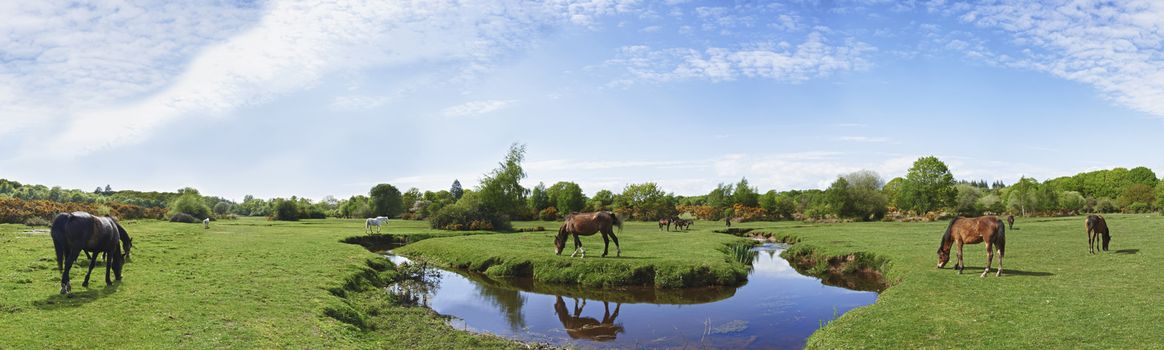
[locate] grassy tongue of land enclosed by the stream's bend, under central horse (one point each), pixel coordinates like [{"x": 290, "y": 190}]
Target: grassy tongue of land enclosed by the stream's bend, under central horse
[{"x": 650, "y": 258}]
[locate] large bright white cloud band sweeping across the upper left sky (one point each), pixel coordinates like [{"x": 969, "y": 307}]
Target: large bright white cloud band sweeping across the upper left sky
[{"x": 293, "y": 47}]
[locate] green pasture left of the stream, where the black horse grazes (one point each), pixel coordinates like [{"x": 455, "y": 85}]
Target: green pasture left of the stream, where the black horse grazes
[{"x": 242, "y": 284}]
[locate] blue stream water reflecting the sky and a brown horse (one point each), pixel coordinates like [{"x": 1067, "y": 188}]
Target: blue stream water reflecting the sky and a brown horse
[{"x": 777, "y": 309}]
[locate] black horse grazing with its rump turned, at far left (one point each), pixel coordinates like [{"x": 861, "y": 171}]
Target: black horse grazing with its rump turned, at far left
[{"x": 77, "y": 232}]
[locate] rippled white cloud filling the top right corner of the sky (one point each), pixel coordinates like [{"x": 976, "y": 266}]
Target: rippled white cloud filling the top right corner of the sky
[{"x": 1116, "y": 47}]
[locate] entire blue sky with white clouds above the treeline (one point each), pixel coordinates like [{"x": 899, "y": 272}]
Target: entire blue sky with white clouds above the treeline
[{"x": 279, "y": 99}]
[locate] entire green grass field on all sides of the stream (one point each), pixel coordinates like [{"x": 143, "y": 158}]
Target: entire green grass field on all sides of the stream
[{"x": 258, "y": 284}]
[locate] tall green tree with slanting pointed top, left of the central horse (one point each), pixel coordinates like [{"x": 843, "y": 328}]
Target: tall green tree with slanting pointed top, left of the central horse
[{"x": 501, "y": 191}]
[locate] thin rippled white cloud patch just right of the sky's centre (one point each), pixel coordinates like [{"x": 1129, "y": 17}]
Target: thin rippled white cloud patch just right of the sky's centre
[{"x": 784, "y": 62}]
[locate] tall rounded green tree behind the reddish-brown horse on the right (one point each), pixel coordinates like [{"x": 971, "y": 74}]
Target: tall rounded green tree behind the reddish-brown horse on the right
[{"x": 928, "y": 187}]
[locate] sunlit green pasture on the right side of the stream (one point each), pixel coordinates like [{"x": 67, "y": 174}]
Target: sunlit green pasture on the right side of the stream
[{"x": 1053, "y": 294}]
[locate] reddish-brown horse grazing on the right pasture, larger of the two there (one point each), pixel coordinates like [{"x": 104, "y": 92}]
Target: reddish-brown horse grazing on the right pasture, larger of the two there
[{"x": 974, "y": 231}]
